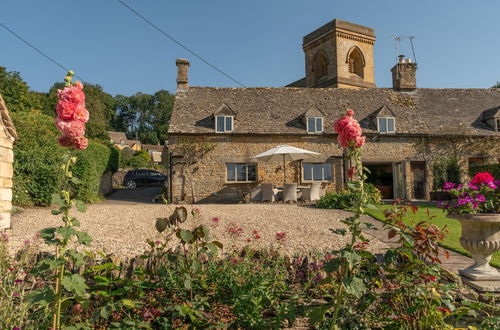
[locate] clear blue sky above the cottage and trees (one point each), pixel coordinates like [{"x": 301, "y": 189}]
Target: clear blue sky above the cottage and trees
[{"x": 258, "y": 42}]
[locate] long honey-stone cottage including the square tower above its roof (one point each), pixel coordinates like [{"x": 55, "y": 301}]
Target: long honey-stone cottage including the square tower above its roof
[{"x": 407, "y": 128}]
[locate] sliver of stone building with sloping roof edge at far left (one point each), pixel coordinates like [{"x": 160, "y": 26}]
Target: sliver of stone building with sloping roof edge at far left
[{"x": 7, "y": 137}]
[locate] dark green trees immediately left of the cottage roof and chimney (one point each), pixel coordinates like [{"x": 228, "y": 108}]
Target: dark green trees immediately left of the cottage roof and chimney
[{"x": 145, "y": 115}]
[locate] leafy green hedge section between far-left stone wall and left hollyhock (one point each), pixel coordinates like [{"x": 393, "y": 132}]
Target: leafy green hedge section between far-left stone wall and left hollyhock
[{"x": 37, "y": 159}]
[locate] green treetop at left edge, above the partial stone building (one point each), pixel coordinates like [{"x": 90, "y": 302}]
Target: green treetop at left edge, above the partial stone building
[{"x": 15, "y": 91}]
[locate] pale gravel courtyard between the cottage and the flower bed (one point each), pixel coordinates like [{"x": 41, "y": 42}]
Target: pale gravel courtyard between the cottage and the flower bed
[{"x": 123, "y": 228}]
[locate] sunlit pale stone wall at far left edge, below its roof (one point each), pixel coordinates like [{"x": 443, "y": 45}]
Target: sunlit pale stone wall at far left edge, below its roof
[{"x": 6, "y": 174}]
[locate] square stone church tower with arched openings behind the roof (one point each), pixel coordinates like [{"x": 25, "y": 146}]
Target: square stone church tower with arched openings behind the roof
[{"x": 340, "y": 55}]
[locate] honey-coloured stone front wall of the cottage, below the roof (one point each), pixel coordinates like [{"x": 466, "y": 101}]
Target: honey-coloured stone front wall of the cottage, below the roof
[{"x": 207, "y": 178}]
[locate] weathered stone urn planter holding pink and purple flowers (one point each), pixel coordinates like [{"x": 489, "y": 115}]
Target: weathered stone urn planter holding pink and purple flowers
[{"x": 481, "y": 237}]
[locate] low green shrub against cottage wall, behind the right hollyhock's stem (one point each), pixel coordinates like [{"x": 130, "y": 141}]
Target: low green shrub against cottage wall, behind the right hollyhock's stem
[{"x": 346, "y": 199}]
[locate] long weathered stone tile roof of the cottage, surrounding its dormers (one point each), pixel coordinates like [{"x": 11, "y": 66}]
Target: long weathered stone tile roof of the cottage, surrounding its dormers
[{"x": 280, "y": 110}]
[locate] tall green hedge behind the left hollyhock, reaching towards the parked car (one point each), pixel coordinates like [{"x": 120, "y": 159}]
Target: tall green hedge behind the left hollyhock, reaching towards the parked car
[{"x": 38, "y": 158}]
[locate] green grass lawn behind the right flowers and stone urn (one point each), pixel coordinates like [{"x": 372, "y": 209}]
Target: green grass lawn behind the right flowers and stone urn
[{"x": 451, "y": 241}]
